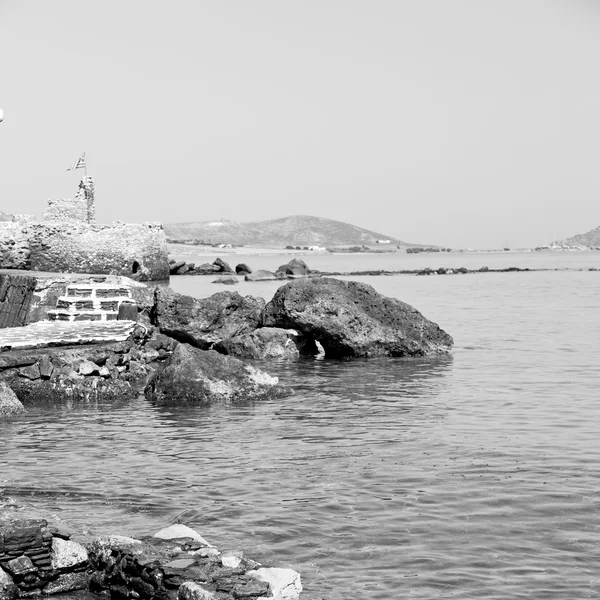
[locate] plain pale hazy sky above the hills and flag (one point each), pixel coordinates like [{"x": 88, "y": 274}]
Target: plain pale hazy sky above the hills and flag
[{"x": 466, "y": 123}]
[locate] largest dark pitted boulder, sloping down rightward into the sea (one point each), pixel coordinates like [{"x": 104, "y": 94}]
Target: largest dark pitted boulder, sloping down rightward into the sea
[{"x": 352, "y": 319}]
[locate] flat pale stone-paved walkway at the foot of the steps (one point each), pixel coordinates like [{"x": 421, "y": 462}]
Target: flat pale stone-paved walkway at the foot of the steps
[{"x": 61, "y": 333}]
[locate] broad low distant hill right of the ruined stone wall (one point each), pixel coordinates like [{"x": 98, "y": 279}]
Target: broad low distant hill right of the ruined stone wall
[{"x": 298, "y": 230}]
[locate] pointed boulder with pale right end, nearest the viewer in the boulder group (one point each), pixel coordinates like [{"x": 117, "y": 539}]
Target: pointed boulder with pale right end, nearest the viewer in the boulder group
[{"x": 205, "y": 376}]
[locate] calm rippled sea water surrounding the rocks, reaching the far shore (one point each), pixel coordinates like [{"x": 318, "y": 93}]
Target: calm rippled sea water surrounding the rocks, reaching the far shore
[{"x": 471, "y": 476}]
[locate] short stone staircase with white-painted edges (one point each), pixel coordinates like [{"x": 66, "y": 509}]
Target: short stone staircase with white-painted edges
[{"x": 91, "y": 302}]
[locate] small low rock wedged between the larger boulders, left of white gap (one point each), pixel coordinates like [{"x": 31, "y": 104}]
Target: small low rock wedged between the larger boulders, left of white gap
[{"x": 267, "y": 342}]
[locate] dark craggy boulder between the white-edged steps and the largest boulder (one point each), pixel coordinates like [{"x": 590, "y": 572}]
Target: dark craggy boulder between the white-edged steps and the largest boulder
[{"x": 204, "y": 322}]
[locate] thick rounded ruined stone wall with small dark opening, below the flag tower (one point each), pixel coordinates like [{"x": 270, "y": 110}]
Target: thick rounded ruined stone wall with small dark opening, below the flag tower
[{"x": 136, "y": 250}]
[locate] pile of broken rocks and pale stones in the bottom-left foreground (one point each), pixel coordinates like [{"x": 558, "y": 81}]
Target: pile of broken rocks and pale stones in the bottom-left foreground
[{"x": 176, "y": 563}]
